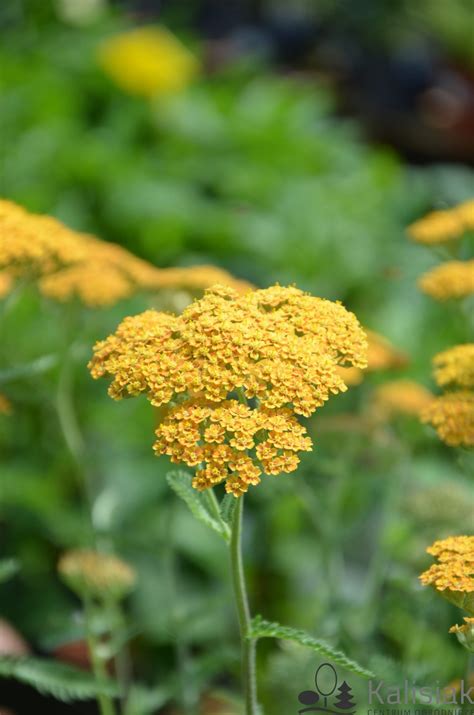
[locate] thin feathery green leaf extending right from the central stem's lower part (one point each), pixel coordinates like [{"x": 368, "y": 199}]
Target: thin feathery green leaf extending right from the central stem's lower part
[{"x": 264, "y": 629}]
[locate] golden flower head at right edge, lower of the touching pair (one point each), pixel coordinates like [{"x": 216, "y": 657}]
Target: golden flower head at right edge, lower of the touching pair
[{"x": 452, "y": 415}]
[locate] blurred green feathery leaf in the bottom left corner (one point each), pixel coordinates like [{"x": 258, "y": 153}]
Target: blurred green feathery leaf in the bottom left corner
[{"x": 48, "y": 677}]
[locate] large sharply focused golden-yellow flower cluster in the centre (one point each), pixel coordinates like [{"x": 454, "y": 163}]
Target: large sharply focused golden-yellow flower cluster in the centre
[{"x": 278, "y": 350}]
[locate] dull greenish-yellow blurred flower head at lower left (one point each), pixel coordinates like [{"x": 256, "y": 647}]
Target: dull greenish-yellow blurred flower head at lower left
[{"x": 91, "y": 573}]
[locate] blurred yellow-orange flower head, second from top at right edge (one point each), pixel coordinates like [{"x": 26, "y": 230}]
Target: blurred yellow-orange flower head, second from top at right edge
[{"x": 453, "y": 279}]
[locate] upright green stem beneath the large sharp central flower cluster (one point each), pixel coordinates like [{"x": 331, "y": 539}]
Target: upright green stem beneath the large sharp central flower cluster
[{"x": 248, "y": 645}]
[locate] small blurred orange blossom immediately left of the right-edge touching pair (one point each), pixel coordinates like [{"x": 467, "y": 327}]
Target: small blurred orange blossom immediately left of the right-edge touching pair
[{"x": 405, "y": 397}]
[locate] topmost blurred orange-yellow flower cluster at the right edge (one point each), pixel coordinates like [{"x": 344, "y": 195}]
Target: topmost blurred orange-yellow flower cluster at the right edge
[{"x": 440, "y": 226}]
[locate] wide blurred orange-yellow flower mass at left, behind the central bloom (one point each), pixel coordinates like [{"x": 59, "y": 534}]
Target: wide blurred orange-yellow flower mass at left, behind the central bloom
[{"x": 70, "y": 264}]
